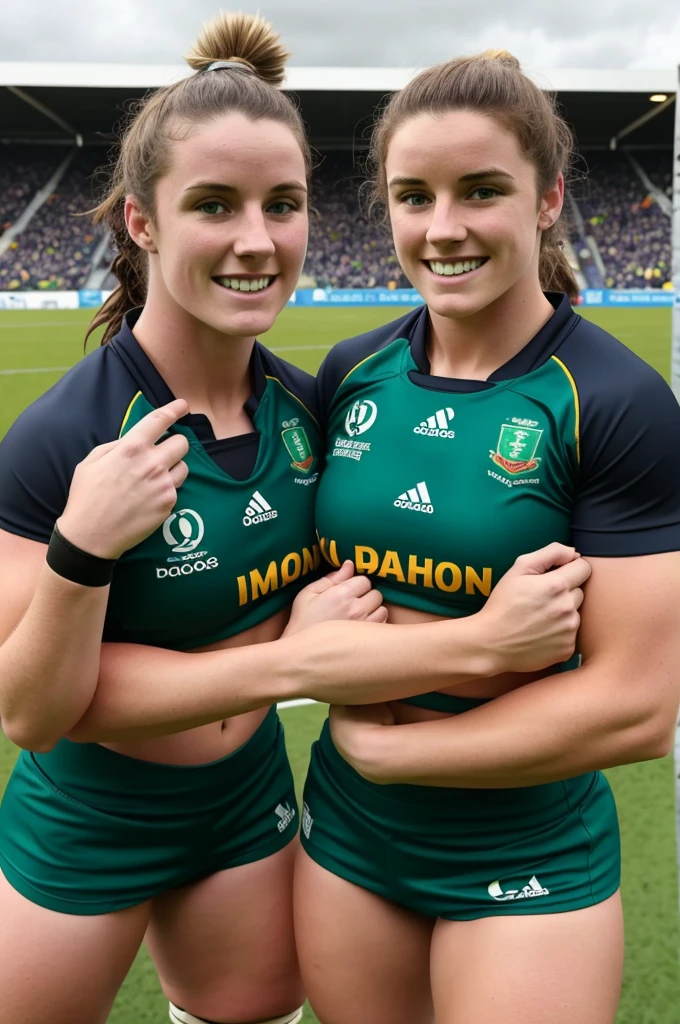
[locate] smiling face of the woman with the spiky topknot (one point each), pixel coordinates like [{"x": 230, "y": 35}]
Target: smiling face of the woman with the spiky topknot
[{"x": 229, "y": 236}]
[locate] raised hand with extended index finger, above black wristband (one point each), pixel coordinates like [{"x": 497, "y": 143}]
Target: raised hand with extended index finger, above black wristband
[{"x": 123, "y": 491}]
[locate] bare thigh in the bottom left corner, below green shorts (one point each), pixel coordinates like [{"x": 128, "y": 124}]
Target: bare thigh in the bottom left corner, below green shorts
[{"x": 61, "y": 968}]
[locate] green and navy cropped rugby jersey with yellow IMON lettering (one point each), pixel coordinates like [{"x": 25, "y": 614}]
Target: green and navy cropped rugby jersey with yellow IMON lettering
[{"x": 234, "y": 551}]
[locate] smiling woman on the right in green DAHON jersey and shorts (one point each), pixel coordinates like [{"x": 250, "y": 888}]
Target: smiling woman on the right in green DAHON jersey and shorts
[{"x": 470, "y": 830}]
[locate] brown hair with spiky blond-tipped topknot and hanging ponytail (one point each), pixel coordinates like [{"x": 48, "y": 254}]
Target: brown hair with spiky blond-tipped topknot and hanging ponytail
[{"x": 249, "y": 89}]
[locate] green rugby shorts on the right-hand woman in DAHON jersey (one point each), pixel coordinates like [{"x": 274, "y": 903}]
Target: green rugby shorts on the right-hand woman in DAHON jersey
[{"x": 463, "y": 855}]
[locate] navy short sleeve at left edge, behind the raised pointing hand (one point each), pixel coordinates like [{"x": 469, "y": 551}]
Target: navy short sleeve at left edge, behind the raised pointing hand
[{"x": 41, "y": 450}]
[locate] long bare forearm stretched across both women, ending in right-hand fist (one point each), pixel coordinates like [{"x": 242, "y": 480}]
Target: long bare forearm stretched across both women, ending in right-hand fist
[{"x": 529, "y": 623}]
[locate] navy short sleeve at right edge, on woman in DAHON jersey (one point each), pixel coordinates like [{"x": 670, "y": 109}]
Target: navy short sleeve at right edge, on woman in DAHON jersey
[{"x": 628, "y": 502}]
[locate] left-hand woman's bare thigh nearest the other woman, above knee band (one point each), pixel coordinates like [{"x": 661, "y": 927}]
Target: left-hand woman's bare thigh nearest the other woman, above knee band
[{"x": 225, "y": 948}]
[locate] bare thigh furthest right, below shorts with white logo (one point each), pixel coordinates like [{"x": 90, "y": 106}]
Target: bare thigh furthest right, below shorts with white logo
[{"x": 539, "y": 969}]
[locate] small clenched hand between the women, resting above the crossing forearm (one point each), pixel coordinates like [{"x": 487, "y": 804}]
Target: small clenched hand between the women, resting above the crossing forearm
[{"x": 339, "y": 595}]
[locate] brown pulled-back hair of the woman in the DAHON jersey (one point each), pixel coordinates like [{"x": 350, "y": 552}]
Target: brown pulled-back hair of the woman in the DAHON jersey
[{"x": 490, "y": 83}]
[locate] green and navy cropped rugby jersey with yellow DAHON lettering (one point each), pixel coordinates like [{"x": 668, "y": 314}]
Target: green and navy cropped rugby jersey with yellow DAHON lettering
[{"x": 434, "y": 487}]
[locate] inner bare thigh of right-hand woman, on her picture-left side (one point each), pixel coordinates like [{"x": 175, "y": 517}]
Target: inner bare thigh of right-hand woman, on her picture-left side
[{"x": 363, "y": 959}]
